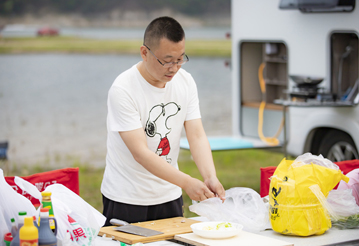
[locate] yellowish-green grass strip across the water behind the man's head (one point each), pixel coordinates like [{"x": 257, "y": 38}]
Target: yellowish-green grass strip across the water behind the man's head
[{"x": 218, "y": 48}]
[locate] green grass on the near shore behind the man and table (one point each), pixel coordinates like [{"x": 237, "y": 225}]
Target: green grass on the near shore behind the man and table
[{"x": 235, "y": 168}]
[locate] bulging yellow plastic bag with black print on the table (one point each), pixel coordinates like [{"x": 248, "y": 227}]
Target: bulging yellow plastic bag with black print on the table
[{"x": 294, "y": 209}]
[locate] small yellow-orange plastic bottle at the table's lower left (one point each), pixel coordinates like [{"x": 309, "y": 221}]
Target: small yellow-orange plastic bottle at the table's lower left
[{"x": 29, "y": 235}]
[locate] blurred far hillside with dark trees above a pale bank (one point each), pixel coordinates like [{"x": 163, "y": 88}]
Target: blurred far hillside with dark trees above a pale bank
[{"x": 113, "y": 13}]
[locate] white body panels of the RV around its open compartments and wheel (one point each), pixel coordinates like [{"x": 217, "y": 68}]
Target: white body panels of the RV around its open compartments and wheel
[{"x": 307, "y": 39}]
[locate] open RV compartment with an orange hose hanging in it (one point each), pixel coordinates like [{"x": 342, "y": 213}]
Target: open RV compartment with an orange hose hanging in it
[{"x": 269, "y": 61}]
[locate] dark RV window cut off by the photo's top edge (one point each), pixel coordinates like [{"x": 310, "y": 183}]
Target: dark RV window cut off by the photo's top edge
[{"x": 317, "y": 6}]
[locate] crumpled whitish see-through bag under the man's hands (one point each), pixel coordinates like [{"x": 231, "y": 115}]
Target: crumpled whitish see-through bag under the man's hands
[{"x": 242, "y": 205}]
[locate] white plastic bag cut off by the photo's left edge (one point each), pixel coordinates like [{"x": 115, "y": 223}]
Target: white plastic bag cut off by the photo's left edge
[{"x": 11, "y": 203}]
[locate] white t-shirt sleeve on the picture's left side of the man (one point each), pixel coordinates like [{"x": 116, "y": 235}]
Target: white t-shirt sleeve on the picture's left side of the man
[{"x": 122, "y": 112}]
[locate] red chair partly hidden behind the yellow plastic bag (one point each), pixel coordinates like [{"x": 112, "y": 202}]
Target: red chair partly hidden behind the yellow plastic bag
[{"x": 267, "y": 172}]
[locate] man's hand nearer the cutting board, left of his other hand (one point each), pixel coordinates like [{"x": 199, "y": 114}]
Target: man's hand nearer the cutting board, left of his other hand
[{"x": 197, "y": 190}]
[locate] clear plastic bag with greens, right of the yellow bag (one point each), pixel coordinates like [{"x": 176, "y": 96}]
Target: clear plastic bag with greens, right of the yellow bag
[{"x": 341, "y": 207}]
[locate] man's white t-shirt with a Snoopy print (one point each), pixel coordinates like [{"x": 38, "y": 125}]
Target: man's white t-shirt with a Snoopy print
[{"x": 161, "y": 112}]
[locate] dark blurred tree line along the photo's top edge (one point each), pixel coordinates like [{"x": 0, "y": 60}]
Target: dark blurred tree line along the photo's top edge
[{"x": 89, "y": 7}]
